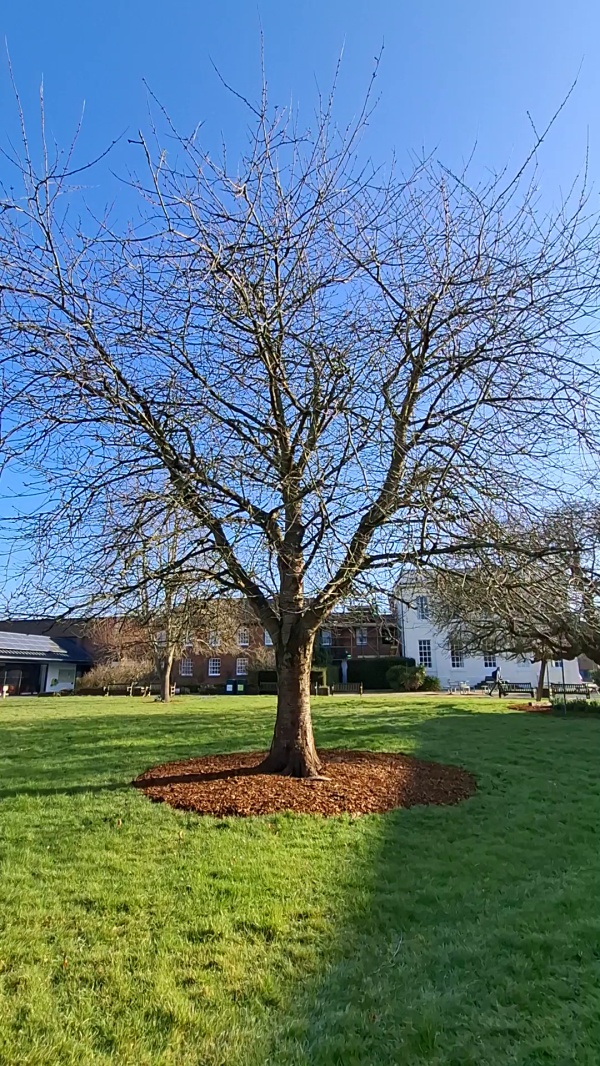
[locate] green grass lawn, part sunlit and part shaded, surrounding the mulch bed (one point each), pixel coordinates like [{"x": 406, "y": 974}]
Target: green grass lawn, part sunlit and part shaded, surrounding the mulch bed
[{"x": 135, "y": 934}]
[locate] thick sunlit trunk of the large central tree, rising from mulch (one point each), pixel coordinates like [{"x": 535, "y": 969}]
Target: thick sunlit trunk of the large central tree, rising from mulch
[{"x": 293, "y": 750}]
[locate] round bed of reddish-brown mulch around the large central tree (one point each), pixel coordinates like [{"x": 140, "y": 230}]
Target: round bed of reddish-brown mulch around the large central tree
[{"x": 358, "y": 783}]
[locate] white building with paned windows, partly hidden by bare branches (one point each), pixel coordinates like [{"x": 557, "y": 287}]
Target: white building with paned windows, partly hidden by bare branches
[{"x": 430, "y": 648}]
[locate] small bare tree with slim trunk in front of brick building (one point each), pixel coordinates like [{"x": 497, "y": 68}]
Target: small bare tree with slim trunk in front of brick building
[{"x": 143, "y": 574}]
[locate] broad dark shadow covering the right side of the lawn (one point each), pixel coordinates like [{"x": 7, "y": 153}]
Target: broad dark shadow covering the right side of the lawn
[{"x": 472, "y": 934}]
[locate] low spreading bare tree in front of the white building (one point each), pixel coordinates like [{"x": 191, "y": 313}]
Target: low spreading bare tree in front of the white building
[{"x": 540, "y": 597}]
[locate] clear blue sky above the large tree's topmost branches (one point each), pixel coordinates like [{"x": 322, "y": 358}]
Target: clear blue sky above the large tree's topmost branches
[{"x": 453, "y": 73}]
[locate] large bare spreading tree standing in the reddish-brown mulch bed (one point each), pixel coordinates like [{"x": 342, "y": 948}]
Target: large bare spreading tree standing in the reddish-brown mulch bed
[{"x": 334, "y": 367}]
